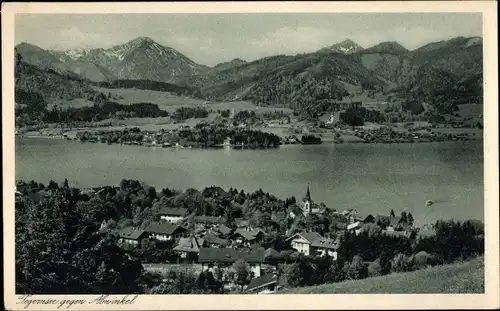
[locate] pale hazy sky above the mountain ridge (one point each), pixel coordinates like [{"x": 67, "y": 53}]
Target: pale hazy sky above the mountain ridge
[{"x": 210, "y": 39}]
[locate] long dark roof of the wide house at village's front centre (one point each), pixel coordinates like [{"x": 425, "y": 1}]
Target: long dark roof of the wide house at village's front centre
[{"x": 230, "y": 255}]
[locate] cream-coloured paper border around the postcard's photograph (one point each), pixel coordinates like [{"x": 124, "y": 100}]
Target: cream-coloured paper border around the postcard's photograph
[{"x": 293, "y": 302}]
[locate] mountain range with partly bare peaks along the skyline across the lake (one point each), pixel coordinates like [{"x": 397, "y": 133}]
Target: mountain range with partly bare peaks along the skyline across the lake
[{"x": 438, "y": 71}]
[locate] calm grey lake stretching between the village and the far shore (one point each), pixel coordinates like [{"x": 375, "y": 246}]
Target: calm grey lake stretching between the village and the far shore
[{"x": 373, "y": 178}]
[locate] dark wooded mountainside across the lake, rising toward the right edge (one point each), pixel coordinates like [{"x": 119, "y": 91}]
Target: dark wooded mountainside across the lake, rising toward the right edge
[{"x": 305, "y": 80}]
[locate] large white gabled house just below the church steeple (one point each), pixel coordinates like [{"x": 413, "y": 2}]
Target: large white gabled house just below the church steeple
[{"x": 312, "y": 243}]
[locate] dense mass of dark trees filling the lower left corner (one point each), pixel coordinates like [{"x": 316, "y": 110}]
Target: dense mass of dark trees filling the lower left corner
[{"x": 58, "y": 251}]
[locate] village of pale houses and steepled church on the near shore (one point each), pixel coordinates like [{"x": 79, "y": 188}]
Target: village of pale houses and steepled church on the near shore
[{"x": 208, "y": 243}]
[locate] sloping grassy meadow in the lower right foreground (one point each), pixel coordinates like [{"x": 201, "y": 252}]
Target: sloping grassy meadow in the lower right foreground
[{"x": 467, "y": 277}]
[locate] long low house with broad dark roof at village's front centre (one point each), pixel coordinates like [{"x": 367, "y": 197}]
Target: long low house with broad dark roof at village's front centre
[{"x": 224, "y": 258}]
